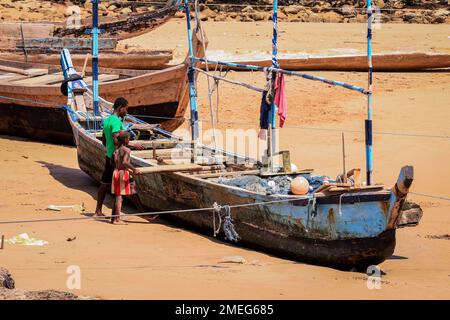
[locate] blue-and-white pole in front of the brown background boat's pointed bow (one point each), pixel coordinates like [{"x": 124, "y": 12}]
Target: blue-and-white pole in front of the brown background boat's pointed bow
[{"x": 192, "y": 89}]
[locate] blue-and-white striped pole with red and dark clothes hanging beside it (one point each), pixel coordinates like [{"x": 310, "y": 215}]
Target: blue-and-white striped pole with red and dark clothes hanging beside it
[{"x": 271, "y": 139}]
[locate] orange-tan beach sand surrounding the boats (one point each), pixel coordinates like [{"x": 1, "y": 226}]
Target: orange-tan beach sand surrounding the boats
[{"x": 160, "y": 261}]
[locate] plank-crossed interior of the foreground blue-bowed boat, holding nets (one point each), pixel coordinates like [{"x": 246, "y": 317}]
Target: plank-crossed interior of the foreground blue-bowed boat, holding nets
[{"x": 165, "y": 152}]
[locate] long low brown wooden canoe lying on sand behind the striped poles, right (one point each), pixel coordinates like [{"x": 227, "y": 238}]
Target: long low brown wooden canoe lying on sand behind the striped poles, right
[{"x": 381, "y": 62}]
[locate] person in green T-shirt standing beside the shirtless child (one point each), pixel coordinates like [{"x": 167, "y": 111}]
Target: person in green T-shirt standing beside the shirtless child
[{"x": 111, "y": 127}]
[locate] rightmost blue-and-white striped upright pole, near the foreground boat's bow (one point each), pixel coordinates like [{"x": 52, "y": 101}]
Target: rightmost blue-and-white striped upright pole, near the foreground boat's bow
[{"x": 368, "y": 122}]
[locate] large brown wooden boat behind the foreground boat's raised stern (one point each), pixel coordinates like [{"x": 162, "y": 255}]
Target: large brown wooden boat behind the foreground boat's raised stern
[{"x": 31, "y": 99}]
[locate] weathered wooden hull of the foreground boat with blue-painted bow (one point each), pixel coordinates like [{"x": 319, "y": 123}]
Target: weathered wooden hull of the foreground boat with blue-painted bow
[{"x": 351, "y": 228}]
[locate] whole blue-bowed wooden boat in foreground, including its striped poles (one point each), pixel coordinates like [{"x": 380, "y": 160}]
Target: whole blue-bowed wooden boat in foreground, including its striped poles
[{"x": 340, "y": 223}]
